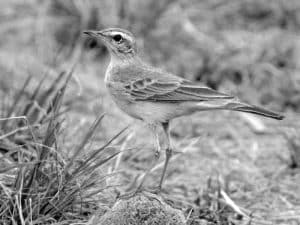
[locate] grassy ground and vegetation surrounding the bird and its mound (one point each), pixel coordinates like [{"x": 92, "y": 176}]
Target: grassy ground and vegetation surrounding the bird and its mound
[{"x": 228, "y": 168}]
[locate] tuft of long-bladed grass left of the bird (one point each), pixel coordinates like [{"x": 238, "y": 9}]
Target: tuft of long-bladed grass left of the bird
[{"x": 41, "y": 186}]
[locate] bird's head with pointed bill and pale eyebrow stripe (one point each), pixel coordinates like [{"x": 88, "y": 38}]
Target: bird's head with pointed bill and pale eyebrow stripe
[{"x": 120, "y": 43}]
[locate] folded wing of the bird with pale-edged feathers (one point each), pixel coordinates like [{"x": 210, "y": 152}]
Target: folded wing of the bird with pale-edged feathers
[{"x": 169, "y": 88}]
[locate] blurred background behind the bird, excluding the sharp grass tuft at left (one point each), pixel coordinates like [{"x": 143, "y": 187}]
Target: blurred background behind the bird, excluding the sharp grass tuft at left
[{"x": 249, "y": 48}]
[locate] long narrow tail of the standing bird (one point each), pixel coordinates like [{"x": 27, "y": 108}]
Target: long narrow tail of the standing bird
[{"x": 244, "y": 107}]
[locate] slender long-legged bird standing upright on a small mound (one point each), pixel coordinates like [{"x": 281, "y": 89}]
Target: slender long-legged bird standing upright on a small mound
[{"x": 155, "y": 96}]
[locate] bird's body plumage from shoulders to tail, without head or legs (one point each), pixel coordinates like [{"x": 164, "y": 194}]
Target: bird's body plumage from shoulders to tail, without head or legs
[{"x": 143, "y": 87}]
